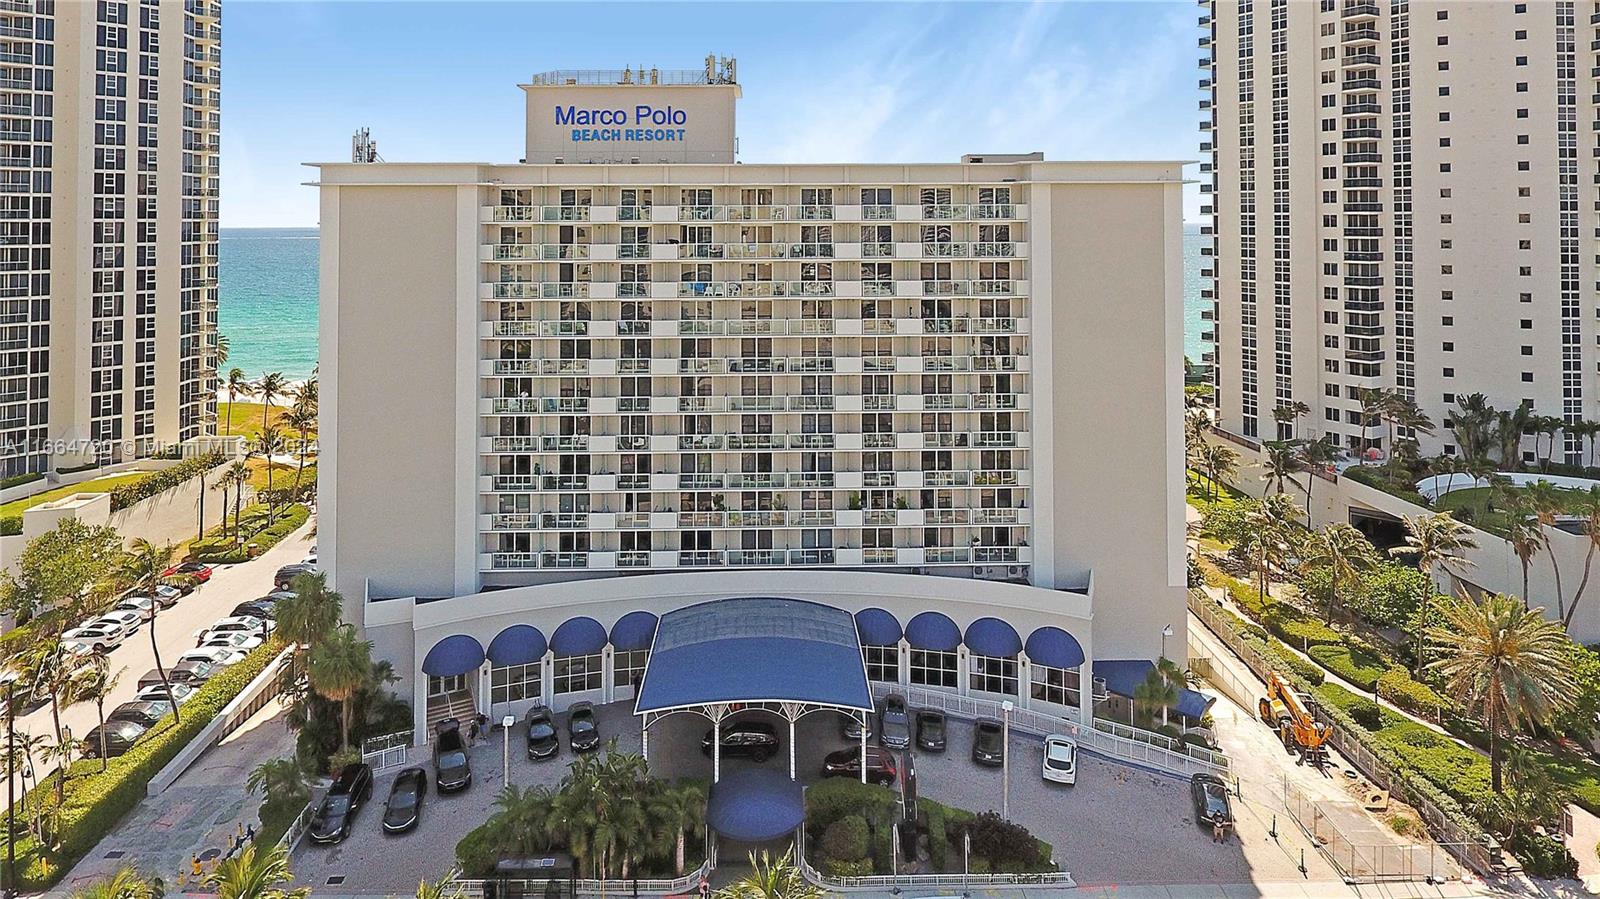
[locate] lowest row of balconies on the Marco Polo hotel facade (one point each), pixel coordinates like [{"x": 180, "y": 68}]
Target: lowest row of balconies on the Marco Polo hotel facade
[{"x": 758, "y": 557}]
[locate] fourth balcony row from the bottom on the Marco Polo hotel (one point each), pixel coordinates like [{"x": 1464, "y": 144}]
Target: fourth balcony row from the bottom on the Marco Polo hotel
[{"x": 602, "y": 444}]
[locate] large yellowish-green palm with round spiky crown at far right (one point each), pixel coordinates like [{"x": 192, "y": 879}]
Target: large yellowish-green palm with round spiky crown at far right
[{"x": 1505, "y": 661}]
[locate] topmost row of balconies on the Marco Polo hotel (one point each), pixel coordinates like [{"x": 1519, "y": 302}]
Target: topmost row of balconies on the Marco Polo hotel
[{"x": 767, "y": 214}]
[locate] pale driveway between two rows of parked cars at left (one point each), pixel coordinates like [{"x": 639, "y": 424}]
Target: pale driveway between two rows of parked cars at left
[{"x": 230, "y": 586}]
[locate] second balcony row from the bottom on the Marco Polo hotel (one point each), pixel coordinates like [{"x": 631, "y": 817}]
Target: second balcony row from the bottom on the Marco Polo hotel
[{"x": 753, "y": 519}]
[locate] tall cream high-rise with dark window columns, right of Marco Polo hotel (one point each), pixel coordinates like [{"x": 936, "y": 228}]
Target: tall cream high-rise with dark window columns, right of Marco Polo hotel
[{"x": 1404, "y": 198}]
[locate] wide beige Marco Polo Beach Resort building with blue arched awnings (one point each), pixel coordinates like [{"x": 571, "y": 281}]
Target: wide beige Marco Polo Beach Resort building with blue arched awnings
[{"x": 631, "y": 374}]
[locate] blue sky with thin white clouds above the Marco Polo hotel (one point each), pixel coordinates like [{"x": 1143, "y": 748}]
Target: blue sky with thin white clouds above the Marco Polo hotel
[{"x": 823, "y": 82}]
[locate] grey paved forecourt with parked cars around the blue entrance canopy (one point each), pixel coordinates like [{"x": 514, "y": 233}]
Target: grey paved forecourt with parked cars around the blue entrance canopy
[{"x": 1118, "y": 826}]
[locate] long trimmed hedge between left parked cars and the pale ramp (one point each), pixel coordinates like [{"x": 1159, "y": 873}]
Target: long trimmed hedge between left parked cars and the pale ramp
[{"x": 97, "y": 801}]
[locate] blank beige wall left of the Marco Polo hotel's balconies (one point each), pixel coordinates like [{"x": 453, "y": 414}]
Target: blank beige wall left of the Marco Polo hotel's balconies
[{"x": 394, "y": 447}]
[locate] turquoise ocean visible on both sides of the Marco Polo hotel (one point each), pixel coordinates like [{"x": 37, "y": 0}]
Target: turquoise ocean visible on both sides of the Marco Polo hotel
[{"x": 268, "y": 298}]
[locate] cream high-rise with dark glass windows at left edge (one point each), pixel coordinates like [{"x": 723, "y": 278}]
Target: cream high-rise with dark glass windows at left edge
[{"x": 110, "y": 121}]
